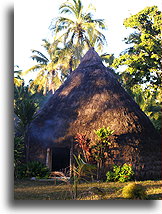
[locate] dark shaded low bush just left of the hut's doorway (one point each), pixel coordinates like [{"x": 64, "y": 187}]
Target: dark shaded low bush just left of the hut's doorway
[{"x": 33, "y": 169}]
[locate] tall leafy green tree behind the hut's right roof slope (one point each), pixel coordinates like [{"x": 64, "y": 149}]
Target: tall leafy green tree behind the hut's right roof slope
[{"x": 142, "y": 61}]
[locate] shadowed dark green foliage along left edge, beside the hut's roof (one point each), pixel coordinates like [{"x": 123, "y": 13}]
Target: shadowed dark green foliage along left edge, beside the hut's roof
[{"x": 25, "y": 107}]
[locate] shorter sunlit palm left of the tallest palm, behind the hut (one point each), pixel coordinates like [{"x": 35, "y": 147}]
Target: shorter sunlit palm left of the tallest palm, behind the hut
[{"x": 48, "y": 68}]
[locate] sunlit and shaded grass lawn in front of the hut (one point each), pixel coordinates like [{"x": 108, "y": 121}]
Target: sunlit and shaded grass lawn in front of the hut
[{"x": 43, "y": 190}]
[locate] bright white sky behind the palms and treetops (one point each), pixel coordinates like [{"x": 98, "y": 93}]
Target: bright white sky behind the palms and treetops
[{"x": 32, "y": 19}]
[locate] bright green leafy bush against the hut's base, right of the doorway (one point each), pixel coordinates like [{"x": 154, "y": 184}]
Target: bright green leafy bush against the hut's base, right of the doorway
[{"x": 120, "y": 173}]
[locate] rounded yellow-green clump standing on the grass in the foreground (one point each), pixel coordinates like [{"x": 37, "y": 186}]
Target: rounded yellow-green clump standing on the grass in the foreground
[{"x": 134, "y": 191}]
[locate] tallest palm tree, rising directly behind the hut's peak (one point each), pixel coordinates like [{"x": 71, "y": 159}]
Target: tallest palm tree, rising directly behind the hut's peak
[{"x": 79, "y": 30}]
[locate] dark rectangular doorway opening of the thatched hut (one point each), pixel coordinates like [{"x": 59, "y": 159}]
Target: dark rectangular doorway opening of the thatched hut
[{"x": 60, "y": 158}]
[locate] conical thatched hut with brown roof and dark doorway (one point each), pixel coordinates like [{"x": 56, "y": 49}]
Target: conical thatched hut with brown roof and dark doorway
[{"x": 89, "y": 99}]
